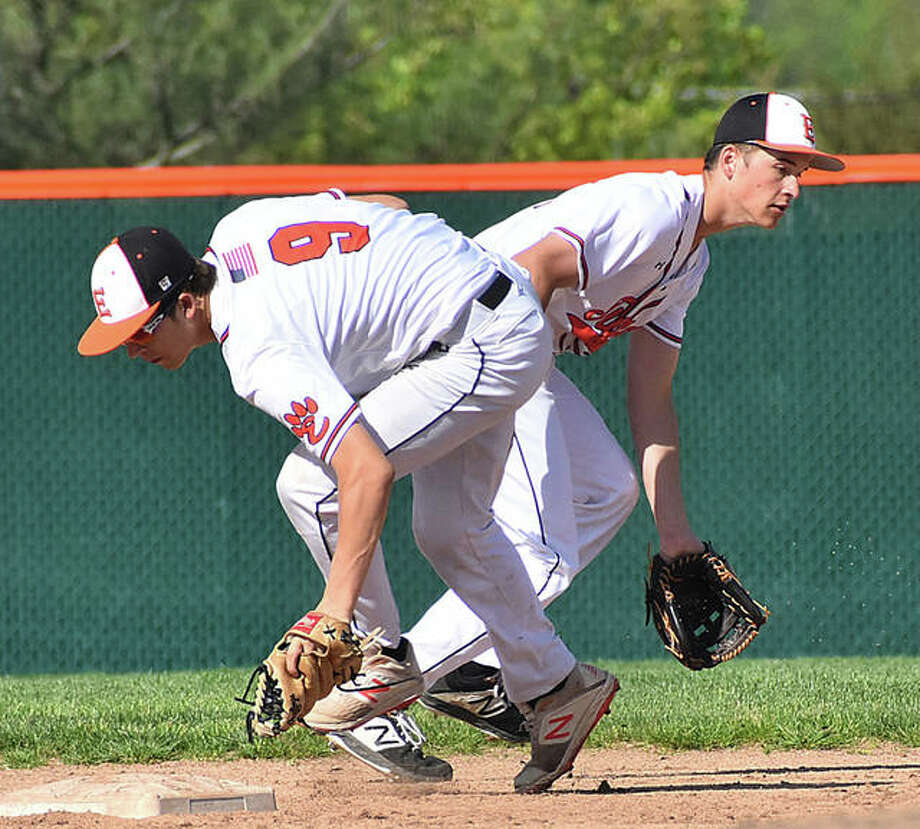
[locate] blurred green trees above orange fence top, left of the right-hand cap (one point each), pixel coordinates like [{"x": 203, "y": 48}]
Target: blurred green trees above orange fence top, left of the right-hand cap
[{"x": 123, "y": 82}]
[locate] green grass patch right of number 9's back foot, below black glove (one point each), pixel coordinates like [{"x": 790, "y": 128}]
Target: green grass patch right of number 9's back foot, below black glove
[{"x": 776, "y": 704}]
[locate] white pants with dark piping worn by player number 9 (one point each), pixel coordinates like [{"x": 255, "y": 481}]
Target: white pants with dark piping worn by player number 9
[{"x": 448, "y": 420}]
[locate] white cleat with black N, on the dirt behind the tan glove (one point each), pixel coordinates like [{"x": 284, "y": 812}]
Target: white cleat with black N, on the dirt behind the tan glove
[{"x": 393, "y": 744}]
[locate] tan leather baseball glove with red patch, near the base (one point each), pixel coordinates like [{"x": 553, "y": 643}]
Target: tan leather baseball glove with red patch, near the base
[{"x": 282, "y": 700}]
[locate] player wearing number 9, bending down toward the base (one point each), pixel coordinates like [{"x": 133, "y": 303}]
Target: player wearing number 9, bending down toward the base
[{"x": 388, "y": 344}]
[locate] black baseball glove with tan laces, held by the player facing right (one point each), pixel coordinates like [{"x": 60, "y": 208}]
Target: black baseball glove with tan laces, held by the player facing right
[{"x": 701, "y": 610}]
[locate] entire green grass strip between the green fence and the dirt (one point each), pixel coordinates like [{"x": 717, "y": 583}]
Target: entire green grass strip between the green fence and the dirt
[{"x": 776, "y": 704}]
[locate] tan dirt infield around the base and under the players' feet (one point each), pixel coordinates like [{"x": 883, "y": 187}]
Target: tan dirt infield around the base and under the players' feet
[{"x": 621, "y": 787}]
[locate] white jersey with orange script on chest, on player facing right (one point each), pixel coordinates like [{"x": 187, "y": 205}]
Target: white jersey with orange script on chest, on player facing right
[{"x": 633, "y": 234}]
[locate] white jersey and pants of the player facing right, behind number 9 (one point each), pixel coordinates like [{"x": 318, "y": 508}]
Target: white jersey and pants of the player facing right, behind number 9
[{"x": 634, "y": 236}]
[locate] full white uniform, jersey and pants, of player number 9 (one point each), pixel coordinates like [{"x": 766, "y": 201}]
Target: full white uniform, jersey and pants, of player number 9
[{"x": 323, "y": 301}]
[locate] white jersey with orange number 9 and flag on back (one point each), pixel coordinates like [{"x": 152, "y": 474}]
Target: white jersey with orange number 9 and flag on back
[{"x": 319, "y": 298}]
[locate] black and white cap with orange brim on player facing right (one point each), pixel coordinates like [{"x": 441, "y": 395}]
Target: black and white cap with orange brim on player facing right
[{"x": 775, "y": 122}]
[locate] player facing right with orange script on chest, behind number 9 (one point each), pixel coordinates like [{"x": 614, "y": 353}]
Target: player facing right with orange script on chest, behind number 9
[{"x": 621, "y": 255}]
